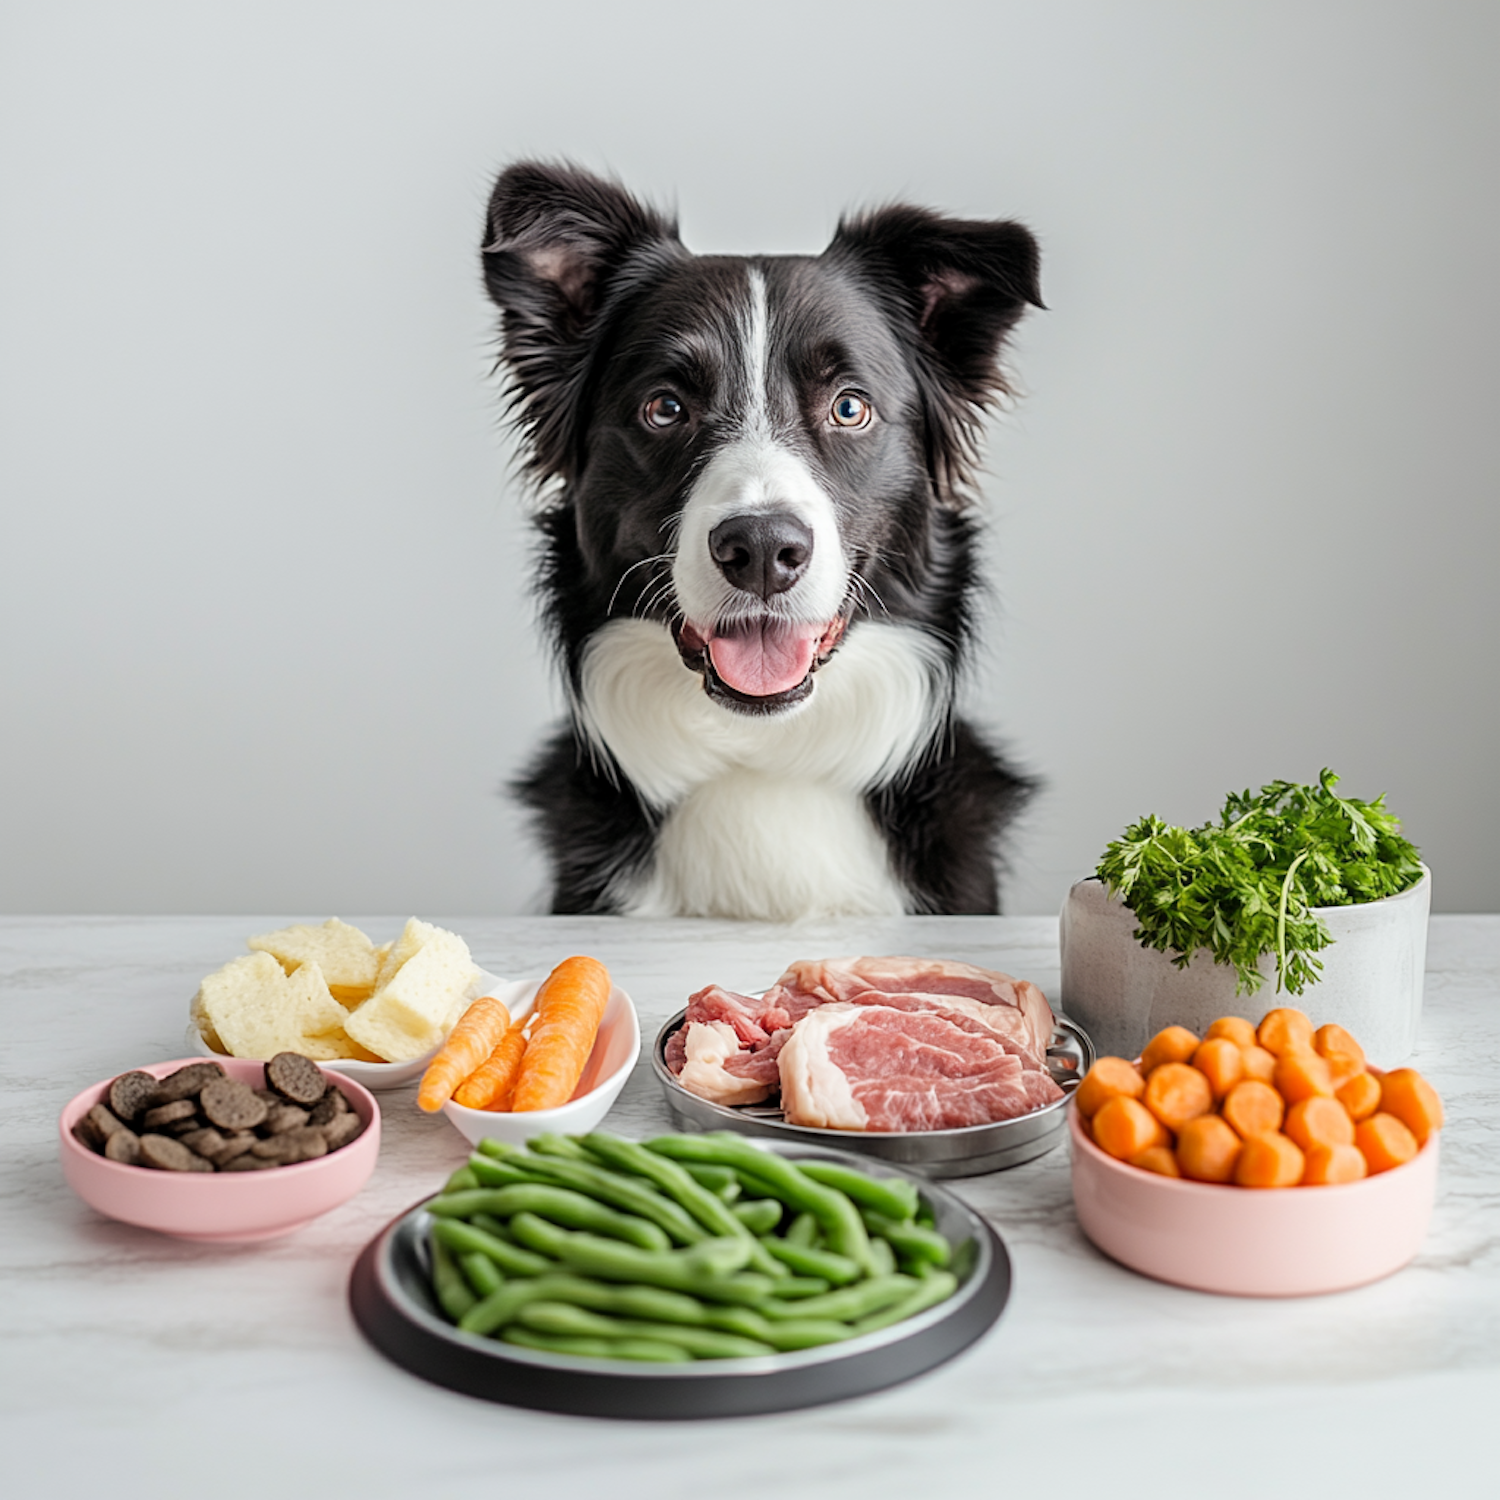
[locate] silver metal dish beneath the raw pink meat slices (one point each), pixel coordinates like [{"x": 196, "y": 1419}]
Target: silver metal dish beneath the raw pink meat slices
[{"x": 964, "y": 1153}]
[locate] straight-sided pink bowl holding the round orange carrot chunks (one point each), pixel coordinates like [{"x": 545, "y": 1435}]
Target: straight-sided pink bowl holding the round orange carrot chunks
[{"x": 1253, "y": 1243}]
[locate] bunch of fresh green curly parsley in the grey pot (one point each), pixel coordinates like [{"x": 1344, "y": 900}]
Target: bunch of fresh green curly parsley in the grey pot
[{"x": 1247, "y": 884}]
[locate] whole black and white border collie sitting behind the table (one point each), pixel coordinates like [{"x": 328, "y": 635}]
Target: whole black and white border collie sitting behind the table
[{"x": 758, "y": 553}]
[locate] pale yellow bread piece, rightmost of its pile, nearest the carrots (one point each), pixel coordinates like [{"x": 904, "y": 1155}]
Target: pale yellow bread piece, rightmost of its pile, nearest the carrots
[{"x": 425, "y": 995}]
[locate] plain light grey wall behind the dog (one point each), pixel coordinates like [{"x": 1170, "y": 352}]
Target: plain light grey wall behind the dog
[{"x": 265, "y": 640}]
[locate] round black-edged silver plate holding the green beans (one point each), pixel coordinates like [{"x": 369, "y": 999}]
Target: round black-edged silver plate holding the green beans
[{"x": 392, "y": 1303}]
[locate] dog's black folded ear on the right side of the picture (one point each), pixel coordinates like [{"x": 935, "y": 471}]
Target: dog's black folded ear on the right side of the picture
[{"x": 959, "y": 287}]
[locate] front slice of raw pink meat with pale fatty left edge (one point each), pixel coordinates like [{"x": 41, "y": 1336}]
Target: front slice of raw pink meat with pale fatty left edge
[{"x": 872, "y": 1067}]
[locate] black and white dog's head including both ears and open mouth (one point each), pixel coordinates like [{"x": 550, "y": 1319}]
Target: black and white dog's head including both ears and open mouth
[{"x": 752, "y": 451}]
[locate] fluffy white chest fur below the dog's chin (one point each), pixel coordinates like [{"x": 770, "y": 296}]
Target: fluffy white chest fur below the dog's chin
[{"x": 764, "y": 817}]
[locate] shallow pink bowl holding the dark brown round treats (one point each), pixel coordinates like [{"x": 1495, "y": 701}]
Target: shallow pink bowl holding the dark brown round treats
[{"x": 229, "y": 1207}]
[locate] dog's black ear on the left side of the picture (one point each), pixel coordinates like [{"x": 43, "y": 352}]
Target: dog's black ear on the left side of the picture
[{"x": 556, "y": 241}]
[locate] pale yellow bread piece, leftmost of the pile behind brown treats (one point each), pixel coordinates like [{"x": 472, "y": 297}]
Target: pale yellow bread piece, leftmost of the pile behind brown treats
[{"x": 257, "y": 1010}]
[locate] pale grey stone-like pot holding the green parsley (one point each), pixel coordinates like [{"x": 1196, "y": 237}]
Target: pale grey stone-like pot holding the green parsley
[{"x": 1124, "y": 994}]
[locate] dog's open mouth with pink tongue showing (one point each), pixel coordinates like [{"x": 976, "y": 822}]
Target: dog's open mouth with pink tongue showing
[{"x": 760, "y": 665}]
